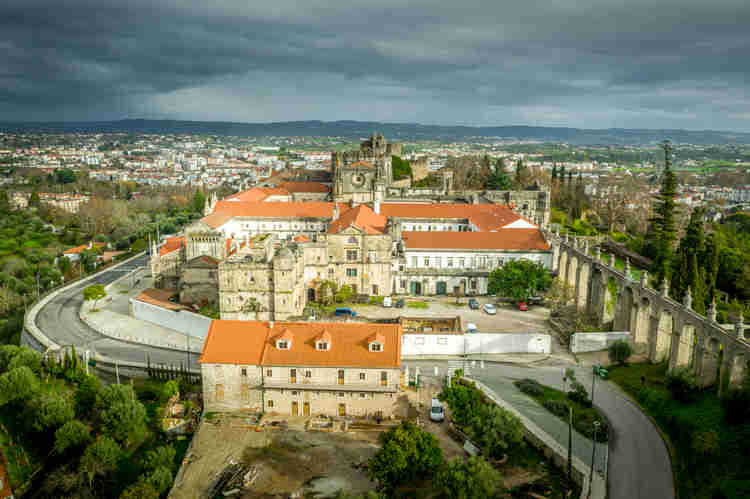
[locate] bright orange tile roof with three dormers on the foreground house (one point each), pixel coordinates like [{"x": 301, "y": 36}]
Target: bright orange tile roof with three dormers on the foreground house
[{"x": 254, "y": 343}]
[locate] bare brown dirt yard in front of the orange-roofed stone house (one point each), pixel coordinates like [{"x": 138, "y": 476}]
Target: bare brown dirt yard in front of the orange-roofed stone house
[{"x": 283, "y": 462}]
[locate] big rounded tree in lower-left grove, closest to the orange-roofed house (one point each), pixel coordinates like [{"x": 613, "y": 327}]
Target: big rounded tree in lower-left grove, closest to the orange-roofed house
[{"x": 121, "y": 415}]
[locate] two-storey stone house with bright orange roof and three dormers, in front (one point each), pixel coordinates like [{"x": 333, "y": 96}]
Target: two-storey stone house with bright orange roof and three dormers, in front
[{"x": 303, "y": 368}]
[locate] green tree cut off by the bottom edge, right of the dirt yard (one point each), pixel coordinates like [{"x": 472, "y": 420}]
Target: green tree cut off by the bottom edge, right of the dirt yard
[{"x": 471, "y": 478}]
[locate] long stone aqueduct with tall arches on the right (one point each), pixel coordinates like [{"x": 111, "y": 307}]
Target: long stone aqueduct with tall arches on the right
[{"x": 659, "y": 326}]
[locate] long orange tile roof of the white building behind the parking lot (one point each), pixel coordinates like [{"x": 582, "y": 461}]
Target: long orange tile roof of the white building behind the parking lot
[{"x": 504, "y": 239}]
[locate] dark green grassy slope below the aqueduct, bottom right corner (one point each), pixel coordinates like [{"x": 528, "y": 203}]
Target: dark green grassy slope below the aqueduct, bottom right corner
[{"x": 701, "y": 472}]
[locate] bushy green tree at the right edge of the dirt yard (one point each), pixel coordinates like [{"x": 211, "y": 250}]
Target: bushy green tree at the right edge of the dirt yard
[{"x": 407, "y": 453}]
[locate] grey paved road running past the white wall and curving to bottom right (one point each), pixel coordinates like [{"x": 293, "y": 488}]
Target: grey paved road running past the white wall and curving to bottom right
[{"x": 639, "y": 465}]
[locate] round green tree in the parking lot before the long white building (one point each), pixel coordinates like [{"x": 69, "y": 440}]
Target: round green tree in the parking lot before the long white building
[{"x": 519, "y": 279}]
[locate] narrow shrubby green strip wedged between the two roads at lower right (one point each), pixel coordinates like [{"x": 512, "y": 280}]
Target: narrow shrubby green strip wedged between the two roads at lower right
[{"x": 557, "y": 402}]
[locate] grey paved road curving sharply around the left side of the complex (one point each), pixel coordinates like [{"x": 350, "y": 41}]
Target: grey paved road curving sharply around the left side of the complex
[{"x": 59, "y": 320}]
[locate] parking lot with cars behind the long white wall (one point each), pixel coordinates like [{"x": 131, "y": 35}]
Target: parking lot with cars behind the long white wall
[{"x": 508, "y": 319}]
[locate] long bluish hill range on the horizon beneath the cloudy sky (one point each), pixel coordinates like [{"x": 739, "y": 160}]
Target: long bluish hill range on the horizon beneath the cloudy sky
[{"x": 393, "y": 131}]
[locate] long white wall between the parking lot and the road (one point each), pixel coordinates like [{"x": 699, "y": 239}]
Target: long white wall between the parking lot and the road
[{"x": 473, "y": 344}]
